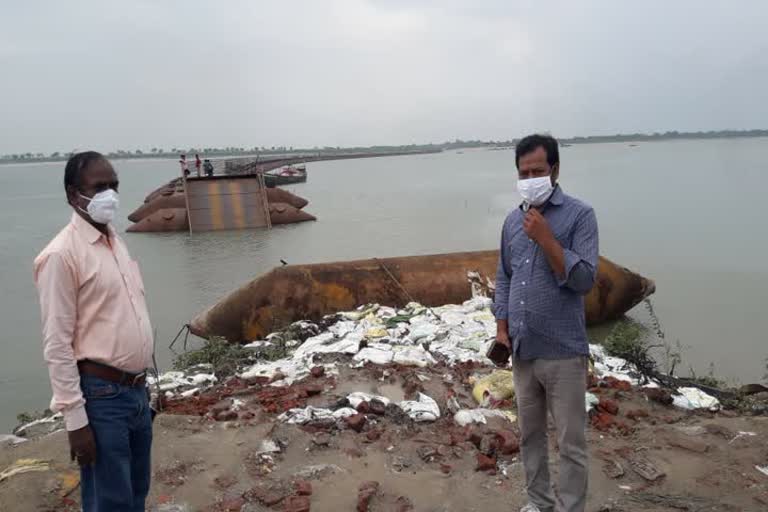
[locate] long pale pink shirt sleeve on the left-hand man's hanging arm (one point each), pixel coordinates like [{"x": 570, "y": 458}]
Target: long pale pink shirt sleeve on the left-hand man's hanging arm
[{"x": 56, "y": 283}]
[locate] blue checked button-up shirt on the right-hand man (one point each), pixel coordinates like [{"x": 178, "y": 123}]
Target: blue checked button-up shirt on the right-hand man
[{"x": 545, "y": 313}]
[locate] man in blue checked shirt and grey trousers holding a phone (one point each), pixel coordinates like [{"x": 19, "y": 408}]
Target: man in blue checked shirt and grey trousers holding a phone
[{"x": 548, "y": 262}]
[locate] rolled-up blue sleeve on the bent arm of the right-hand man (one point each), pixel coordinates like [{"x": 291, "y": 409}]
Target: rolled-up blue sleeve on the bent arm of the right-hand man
[{"x": 581, "y": 257}]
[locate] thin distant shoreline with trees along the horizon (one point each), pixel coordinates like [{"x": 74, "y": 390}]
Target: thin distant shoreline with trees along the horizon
[{"x": 384, "y": 150}]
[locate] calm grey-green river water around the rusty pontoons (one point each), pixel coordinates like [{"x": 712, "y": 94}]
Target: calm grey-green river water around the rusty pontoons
[{"x": 685, "y": 213}]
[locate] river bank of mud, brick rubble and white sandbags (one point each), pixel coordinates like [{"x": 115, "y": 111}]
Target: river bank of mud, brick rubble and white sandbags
[{"x": 378, "y": 409}]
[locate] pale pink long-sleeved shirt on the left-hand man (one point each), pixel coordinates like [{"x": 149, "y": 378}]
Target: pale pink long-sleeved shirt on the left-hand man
[{"x": 93, "y": 307}]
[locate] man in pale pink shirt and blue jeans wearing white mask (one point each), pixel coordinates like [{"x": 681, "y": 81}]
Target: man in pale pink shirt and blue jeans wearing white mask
[{"x": 98, "y": 341}]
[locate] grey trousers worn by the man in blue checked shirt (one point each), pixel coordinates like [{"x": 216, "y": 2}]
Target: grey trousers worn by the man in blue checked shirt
[{"x": 557, "y": 386}]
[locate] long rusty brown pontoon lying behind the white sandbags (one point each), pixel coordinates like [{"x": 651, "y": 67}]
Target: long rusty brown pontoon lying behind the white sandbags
[{"x": 309, "y": 292}]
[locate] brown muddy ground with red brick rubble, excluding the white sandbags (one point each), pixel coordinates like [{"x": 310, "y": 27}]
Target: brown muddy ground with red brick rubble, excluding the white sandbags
[{"x": 644, "y": 455}]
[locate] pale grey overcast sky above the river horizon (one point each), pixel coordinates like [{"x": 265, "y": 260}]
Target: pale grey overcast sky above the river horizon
[{"x": 137, "y": 74}]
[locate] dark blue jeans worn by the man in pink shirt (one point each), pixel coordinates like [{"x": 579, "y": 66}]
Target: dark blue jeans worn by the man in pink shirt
[{"x": 121, "y": 422}]
